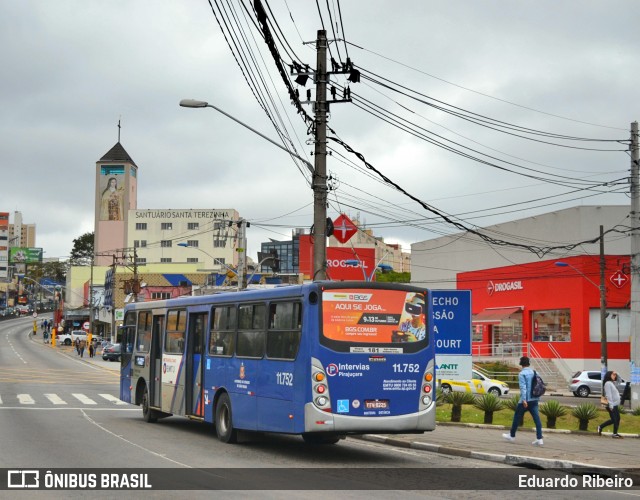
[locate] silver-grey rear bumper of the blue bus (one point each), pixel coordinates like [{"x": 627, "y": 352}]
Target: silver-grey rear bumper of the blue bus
[{"x": 316, "y": 420}]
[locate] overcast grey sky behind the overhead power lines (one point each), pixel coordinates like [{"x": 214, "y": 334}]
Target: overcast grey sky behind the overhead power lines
[{"x": 72, "y": 69}]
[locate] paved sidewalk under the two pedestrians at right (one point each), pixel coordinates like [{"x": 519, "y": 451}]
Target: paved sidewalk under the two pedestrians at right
[{"x": 562, "y": 449}]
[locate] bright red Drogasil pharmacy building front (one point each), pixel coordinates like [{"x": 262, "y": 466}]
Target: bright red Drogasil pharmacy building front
[{"x": 551, "y": 310}]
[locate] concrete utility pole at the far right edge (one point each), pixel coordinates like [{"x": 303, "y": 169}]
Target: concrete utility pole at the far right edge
[{"x": 635, "y": 270}]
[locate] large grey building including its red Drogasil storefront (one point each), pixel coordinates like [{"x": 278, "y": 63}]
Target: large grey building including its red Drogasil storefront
[{"x": 520, "y": 300}]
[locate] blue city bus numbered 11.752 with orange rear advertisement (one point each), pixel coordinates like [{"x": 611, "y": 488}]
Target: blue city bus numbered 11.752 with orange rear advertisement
[{"x": 322, "y": 360}]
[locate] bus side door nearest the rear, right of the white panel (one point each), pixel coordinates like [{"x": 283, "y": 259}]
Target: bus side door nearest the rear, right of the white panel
[{"x": 194, "y": 371}]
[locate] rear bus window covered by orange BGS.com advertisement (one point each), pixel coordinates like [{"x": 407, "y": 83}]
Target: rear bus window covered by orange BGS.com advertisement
[{"x": 391, "y": 319}]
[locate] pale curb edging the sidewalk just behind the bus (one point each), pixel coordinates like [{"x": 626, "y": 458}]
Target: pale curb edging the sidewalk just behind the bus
[{"x": 507, "y": 459}]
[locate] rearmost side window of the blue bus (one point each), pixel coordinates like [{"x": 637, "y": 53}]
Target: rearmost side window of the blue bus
[{"x": 283, "y": 336}]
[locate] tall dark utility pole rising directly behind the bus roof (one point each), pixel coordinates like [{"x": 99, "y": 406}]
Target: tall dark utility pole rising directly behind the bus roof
[{"x": 319, "y": 183}]
